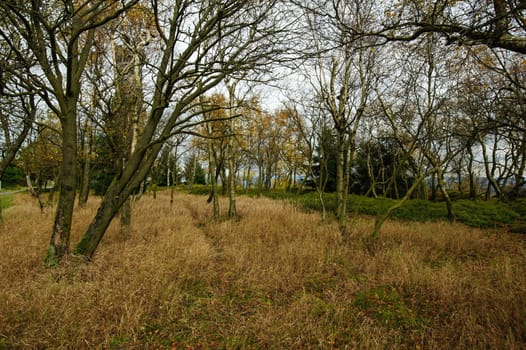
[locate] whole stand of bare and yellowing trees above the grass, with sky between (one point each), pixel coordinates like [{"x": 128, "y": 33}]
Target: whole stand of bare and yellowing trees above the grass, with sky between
[{"x": 400, "y": 100}]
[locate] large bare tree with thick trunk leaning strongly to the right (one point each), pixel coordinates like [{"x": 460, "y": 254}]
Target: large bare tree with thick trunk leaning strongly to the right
[{"x": 201, "y": 43}]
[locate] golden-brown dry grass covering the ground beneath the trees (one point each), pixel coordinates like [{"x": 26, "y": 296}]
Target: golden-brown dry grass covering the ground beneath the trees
[{"x": 275, "y": 278}]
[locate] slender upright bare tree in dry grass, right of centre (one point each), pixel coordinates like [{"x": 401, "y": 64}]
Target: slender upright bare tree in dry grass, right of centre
[{"x": 343, "y": 80}]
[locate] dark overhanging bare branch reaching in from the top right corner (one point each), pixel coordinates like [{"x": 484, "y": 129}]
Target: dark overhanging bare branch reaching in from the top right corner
[{"x": 492, "y": 23}]
